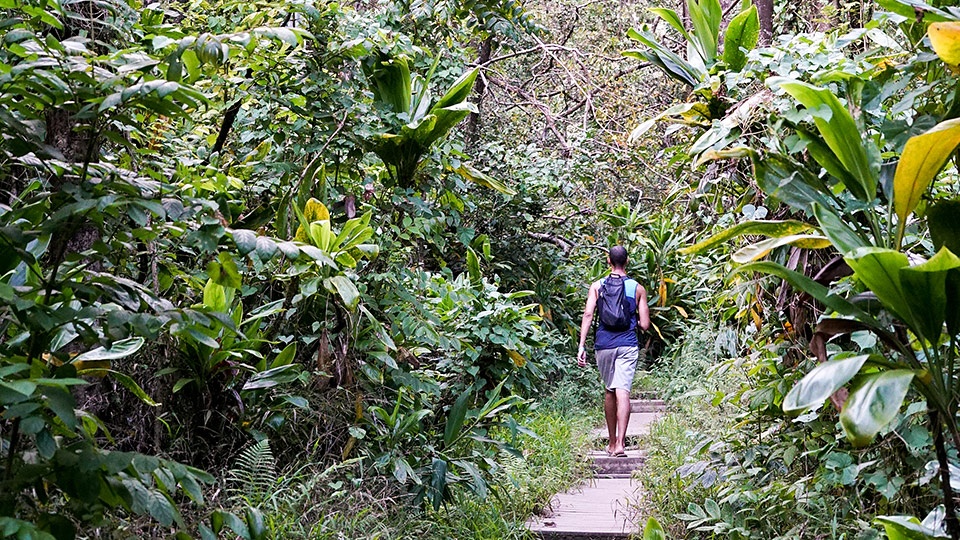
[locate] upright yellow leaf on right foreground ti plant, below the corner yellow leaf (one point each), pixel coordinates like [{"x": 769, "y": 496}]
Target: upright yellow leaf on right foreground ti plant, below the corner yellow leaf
[{"x": 922, "y": 158}]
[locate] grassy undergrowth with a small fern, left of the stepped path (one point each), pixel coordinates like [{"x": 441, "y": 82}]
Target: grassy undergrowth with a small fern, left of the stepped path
[{"x": 343, "y": 502}]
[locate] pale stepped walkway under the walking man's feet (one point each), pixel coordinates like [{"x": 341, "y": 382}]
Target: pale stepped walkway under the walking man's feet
[{"x": 604, "y": 506}]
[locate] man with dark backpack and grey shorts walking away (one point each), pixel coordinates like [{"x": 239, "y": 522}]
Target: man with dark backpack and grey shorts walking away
[{"x": 621, "y": 304}]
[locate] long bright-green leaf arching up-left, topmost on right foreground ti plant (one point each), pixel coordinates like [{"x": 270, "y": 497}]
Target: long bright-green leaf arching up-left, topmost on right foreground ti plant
[{"x": 839, "y": 131}]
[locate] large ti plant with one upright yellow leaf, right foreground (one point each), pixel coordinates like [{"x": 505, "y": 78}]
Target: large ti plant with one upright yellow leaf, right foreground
[{"x": 903, "y": 292}]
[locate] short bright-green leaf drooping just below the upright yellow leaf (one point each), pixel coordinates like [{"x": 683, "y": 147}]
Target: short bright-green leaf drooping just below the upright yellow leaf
[{"x": 879, "y": 269}]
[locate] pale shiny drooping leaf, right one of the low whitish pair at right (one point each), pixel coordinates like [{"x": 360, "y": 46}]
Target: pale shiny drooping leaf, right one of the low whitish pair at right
[{"x": 874, "y": 404}]
